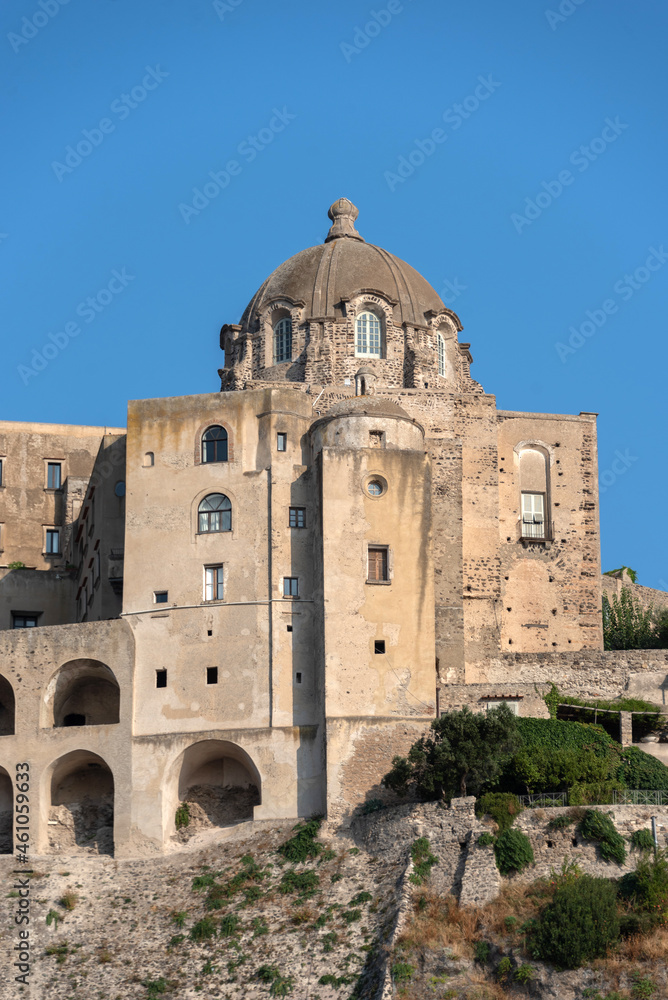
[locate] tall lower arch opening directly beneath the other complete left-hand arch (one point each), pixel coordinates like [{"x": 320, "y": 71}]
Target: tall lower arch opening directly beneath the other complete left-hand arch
[{"x": 81, "y": 814}]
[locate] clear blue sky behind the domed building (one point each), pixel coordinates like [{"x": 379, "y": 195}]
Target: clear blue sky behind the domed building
[{"x": 553, "y": 252}]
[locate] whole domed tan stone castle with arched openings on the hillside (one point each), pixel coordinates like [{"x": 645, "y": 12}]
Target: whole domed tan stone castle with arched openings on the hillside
[{"x": 252, "y": 599}]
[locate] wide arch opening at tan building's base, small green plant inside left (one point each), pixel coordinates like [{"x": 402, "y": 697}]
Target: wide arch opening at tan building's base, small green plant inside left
[{"x": 219, "y": 782}]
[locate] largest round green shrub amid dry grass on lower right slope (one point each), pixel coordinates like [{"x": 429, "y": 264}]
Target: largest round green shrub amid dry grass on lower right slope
[{"x": 580, "y": 923}]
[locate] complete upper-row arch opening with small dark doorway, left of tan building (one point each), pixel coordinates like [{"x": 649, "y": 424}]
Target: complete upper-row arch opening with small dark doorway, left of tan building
[{"x": 82, "y": 693}]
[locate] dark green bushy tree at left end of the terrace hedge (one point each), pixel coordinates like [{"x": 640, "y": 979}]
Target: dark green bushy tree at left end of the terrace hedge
[{"x": 463, "y": 751}]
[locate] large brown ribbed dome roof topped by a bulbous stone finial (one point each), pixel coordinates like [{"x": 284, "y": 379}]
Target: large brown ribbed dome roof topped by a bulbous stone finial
[{"x": 322, "y": 276}]
